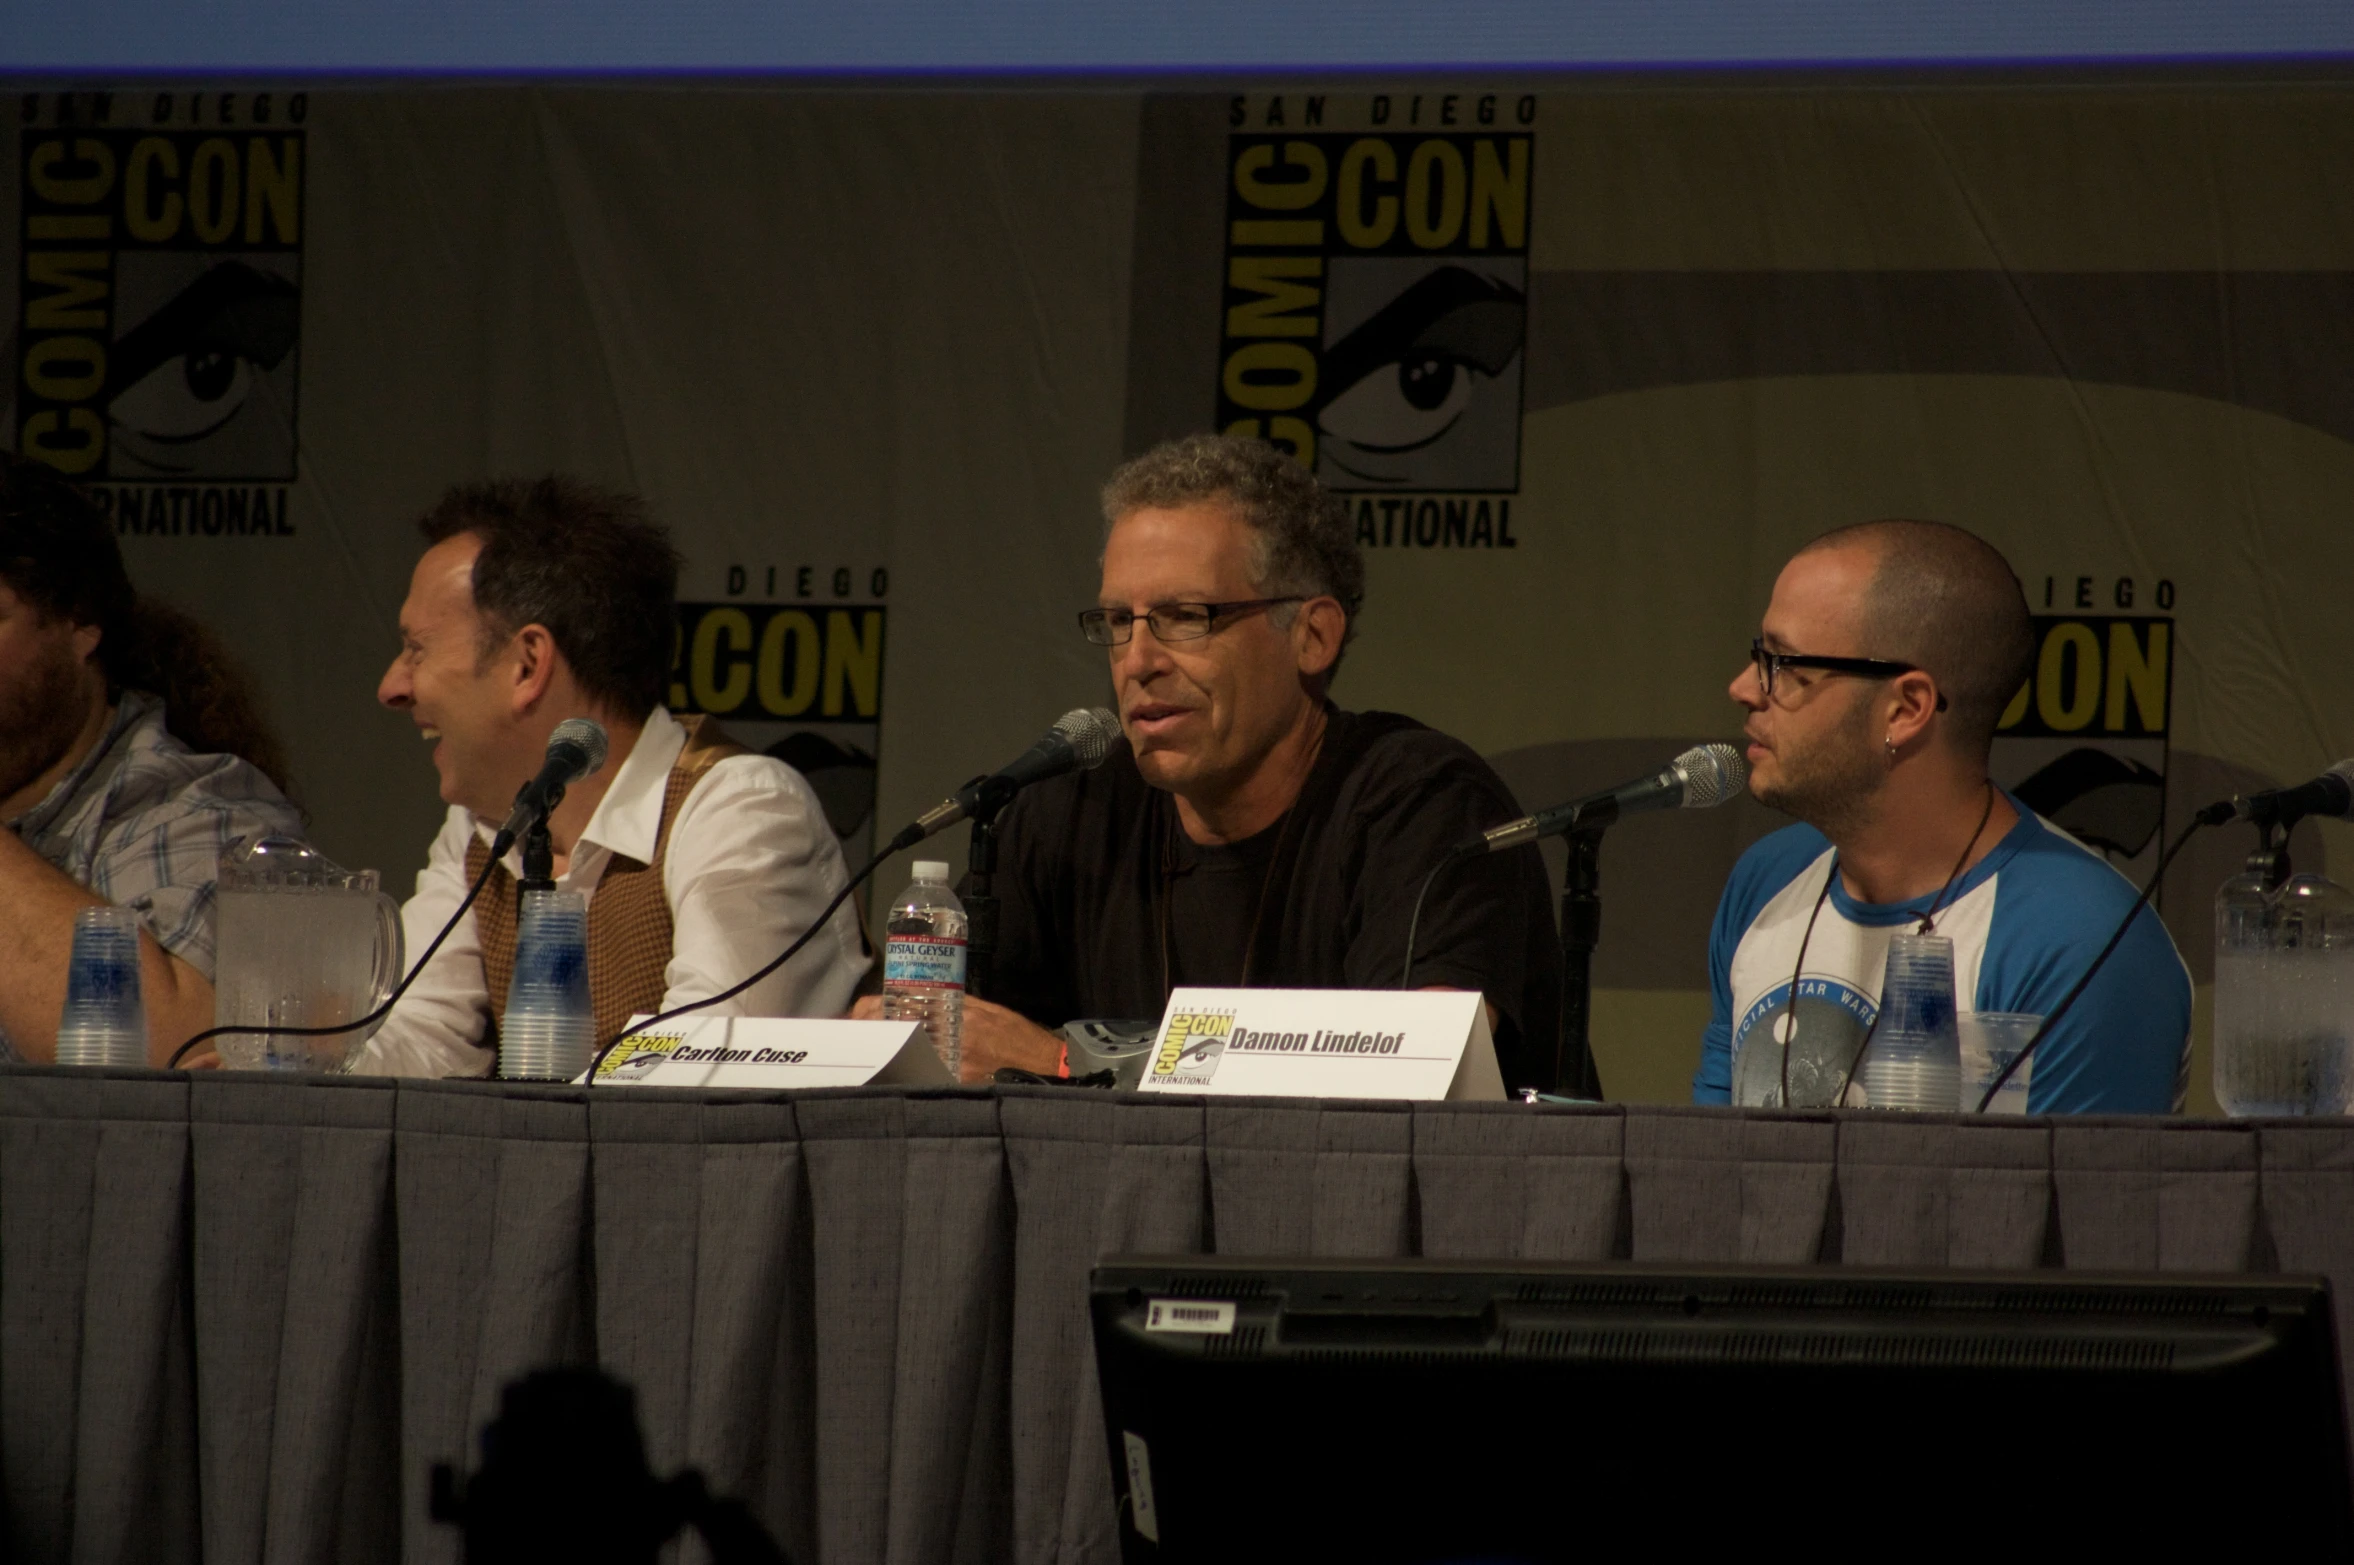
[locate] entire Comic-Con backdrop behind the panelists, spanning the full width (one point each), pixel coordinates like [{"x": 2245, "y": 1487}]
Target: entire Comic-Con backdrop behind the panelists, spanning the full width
[{"x": 1585, "y": 368}]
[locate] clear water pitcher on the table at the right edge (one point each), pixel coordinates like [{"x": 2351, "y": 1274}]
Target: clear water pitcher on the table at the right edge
[{"x": 2285, "y": 997}]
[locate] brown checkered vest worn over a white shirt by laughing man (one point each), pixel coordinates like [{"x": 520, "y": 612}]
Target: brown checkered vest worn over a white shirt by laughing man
[{"x": 630, "y": 919}]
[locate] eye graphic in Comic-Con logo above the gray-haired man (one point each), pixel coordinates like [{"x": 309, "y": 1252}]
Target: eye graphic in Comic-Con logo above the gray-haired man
[{"x": 1425, "y": 392}]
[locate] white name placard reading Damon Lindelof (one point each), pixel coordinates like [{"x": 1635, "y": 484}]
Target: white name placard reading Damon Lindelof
[{"x": 1324, "y": 1044}]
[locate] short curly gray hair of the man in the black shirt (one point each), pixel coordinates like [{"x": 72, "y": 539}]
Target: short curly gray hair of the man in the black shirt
[{"x": 1303, "y": 540}]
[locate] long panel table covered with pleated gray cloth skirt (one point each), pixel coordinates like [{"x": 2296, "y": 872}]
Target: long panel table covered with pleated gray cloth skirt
[{"x": 241, "y": 1317}]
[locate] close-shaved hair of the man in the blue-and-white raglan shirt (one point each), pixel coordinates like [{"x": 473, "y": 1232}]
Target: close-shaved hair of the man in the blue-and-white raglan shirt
[{"x": 1946, "y": 601}]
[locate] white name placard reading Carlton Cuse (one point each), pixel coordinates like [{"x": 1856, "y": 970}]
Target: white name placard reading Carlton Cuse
[{"x": 773, "y": 1053}]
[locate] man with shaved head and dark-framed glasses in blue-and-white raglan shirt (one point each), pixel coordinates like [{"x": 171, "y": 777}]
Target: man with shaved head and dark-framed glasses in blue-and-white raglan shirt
[{"x": 1873, "y": 693}]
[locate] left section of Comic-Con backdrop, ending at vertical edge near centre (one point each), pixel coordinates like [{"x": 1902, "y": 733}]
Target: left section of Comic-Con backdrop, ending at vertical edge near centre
[{"x": 865, "y": 359}]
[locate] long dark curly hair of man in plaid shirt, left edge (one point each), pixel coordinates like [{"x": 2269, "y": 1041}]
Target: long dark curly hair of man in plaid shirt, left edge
[{"x": 60, "y": 554}]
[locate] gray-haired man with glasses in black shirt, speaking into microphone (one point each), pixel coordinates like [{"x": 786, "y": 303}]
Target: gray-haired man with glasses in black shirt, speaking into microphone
[{"x": 1249, "y": 832}]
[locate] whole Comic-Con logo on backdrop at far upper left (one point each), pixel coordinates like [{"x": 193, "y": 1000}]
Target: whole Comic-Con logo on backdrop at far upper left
[{"x": 161, "y": 302}]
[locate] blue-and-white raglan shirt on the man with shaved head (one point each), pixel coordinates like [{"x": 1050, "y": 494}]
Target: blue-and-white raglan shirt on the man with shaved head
[{"x": 2026, "y": 924}]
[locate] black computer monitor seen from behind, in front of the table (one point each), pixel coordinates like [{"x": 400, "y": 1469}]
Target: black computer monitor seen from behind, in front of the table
[{"x": 1418, "y": 1413}]
